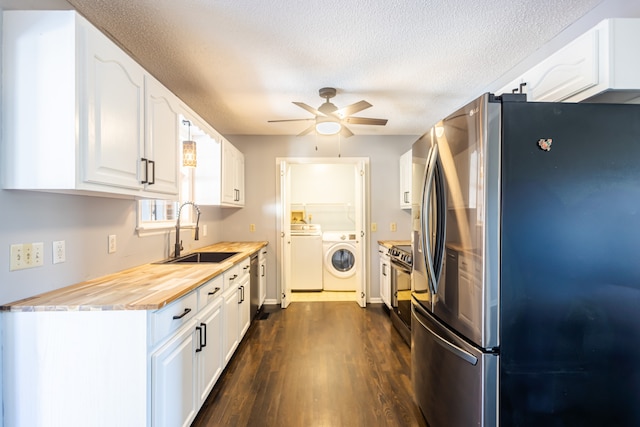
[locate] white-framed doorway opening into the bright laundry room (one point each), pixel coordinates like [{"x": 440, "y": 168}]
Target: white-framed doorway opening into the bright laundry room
[{"x": 332, "y": 193}]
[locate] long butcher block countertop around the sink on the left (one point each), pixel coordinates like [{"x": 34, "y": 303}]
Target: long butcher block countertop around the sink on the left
[{"x": 146, "y": 287}]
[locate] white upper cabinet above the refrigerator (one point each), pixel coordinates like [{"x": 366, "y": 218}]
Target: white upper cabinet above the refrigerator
[{"x": 602, "y": 65}]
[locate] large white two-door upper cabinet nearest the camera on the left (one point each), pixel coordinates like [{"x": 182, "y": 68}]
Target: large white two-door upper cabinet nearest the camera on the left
[{"x": 80, "y": 114}]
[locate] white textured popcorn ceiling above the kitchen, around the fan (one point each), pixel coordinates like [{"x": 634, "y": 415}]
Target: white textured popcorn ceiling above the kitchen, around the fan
[{"x": 240, "y": 63}]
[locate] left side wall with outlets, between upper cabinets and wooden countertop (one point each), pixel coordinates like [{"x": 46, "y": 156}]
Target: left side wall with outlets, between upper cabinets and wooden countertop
[{"x": 84, "y": 223}]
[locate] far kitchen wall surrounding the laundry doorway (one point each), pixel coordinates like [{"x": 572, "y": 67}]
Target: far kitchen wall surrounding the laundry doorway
[{"x": 261, "y": 181}]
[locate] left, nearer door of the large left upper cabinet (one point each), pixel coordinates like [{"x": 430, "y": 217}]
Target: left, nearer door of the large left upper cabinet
[{"x": 115, "y": 85}]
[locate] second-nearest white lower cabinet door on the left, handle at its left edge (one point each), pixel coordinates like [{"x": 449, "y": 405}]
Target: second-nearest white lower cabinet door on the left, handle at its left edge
[{"x": 210, "y": 356}]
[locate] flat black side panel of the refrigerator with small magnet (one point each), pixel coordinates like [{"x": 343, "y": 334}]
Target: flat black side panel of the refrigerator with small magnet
[{"x": 570, "y": 271}]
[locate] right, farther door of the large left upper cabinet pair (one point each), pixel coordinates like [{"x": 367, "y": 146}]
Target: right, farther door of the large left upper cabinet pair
[{"x": 161, "y": 139}]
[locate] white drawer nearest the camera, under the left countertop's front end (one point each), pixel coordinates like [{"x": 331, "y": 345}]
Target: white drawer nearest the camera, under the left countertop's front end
[{"x": 170, "y": 318}]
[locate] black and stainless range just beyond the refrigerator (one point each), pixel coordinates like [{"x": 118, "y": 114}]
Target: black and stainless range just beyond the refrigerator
[{"x": 401, "y": 261}]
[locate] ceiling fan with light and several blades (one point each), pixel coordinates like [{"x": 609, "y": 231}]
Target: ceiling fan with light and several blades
[{"x": 330, "y": 120}]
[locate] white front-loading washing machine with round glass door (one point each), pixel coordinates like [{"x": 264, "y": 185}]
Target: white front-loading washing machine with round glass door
[{"x": 340, "y": 262}]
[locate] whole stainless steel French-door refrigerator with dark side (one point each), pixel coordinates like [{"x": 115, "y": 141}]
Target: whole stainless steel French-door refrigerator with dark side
[{"x": 526, "y": 265}]
